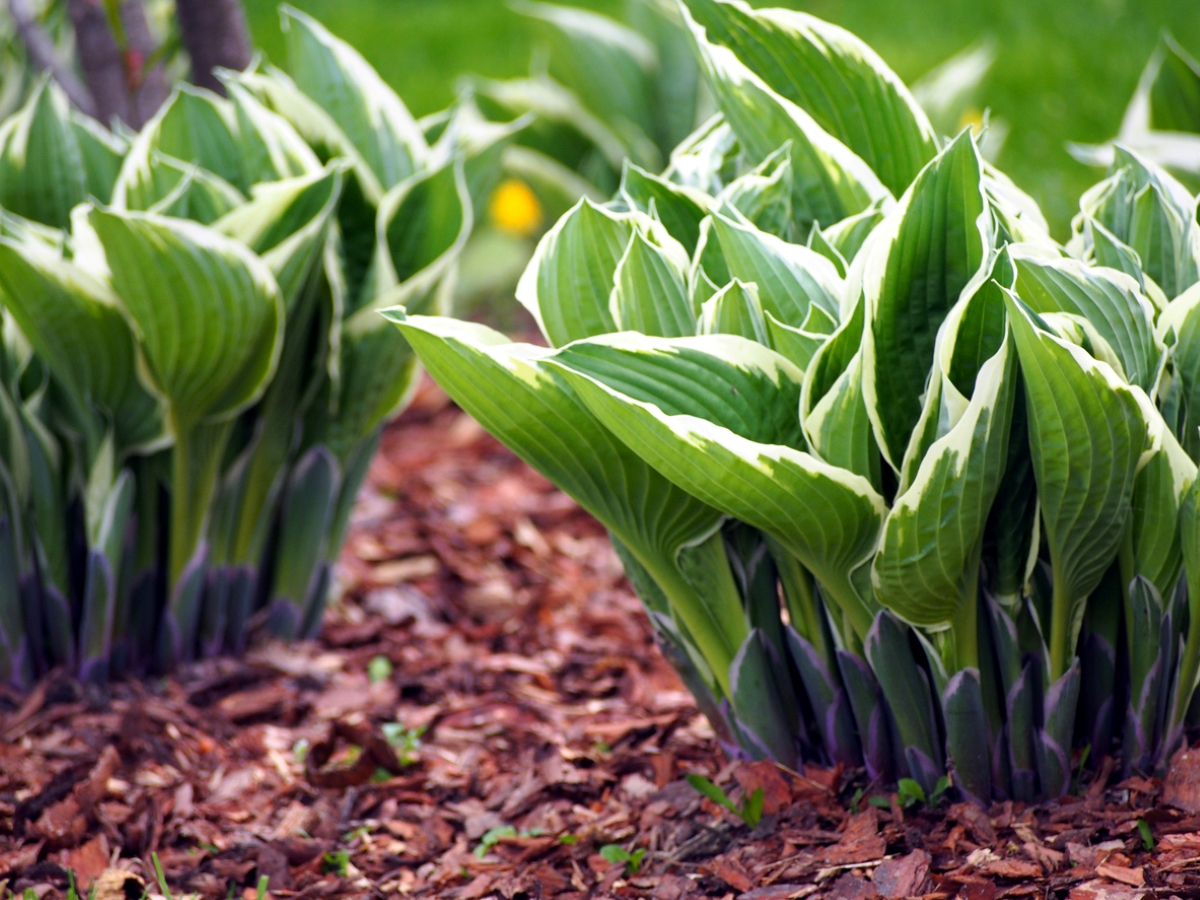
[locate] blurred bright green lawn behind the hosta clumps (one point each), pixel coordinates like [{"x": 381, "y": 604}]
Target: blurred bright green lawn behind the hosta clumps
[{"x": 1065, "y": 69}]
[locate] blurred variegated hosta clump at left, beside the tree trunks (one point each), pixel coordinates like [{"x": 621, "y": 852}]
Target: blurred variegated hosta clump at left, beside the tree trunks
[{"x": 194, "y": 376}]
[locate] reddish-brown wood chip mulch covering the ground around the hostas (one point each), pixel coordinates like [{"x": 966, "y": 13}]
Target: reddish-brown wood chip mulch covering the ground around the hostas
[{"x": 482, "y": 718}]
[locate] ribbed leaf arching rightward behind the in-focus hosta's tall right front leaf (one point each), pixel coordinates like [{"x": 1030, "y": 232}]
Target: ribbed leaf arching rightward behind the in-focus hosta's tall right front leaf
[{"x": 1109, "y": 301}]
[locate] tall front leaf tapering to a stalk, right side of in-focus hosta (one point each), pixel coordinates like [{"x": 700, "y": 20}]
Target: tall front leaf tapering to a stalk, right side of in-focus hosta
[{"x": 1088, "y": 435}]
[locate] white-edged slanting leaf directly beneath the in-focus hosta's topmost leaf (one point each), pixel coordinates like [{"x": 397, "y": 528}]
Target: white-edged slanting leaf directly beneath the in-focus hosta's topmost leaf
[{"x": 830, "y": 181}]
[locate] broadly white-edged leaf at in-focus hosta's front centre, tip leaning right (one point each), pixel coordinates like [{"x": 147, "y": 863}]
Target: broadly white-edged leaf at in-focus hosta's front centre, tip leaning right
[{"x": 928, "y": 557}]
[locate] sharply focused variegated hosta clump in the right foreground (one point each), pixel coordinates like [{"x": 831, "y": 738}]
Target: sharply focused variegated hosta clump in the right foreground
[{"x": 903, "y": 483}]
